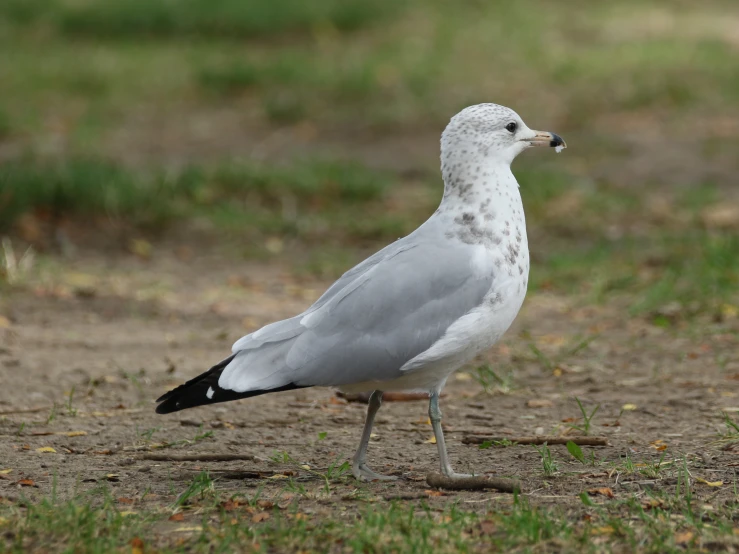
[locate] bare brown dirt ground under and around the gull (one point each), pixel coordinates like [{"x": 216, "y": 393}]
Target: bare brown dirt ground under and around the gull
[{"x": 116, "y": 333}]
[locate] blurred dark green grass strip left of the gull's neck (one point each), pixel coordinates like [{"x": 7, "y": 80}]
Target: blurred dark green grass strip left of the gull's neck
[{"x": 309, "y": 200}]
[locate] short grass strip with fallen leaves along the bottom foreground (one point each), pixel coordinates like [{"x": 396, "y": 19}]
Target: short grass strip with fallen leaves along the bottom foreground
[{"x": 95, "y": 522}]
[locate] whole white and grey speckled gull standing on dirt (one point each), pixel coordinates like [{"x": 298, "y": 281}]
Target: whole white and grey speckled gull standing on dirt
[{"x": 410, "y": 315}]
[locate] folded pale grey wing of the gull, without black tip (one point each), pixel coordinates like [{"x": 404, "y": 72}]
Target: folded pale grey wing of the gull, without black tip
[{"x": 378, "y": 316}]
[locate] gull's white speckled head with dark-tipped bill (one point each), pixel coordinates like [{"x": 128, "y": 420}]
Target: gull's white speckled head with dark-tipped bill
[{"x": 490, "y": 130}]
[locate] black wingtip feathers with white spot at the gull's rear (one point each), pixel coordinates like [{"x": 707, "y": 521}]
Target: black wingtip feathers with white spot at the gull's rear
[{"x": 204, "y": 389}]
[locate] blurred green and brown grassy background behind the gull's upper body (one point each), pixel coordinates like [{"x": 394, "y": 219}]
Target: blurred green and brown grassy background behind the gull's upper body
[{"x": 309, "y": 130}]
